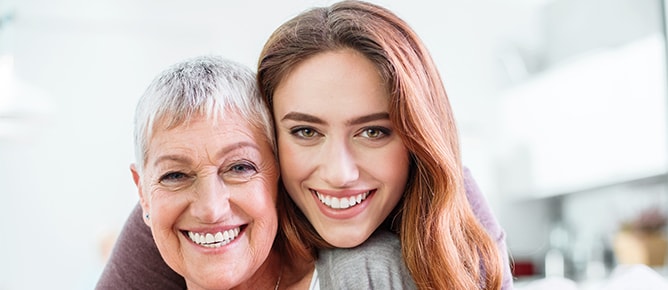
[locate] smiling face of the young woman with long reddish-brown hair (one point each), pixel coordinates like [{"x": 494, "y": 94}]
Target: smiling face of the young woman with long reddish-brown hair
[{"x": 341, "y": 161}]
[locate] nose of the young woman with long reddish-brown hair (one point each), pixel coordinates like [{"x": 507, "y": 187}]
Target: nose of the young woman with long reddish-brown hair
[{"x": 338, "y": 165}]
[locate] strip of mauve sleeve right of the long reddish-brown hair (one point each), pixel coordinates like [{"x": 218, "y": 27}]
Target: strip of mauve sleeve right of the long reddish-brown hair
[{"x": 484, "y": 214}]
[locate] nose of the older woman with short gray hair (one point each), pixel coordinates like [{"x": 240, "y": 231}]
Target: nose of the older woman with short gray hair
[{"x": 212, "y": 200}]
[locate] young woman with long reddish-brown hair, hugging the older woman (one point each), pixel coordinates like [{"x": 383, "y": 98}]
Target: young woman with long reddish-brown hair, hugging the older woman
[{"x": 366, "y": 141}]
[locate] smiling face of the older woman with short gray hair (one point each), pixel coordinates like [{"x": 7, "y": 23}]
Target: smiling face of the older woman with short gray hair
[{"x": 210, "y": 189}]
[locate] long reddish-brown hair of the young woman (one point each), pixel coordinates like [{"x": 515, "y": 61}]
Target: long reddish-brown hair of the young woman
[{"x": 443, "y": 245}]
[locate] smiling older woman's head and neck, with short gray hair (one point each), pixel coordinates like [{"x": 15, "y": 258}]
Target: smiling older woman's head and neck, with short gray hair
[{"x": 207, "y": 176}]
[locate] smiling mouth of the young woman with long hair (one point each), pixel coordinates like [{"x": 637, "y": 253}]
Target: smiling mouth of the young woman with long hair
[{"x": 342, "y": 207}]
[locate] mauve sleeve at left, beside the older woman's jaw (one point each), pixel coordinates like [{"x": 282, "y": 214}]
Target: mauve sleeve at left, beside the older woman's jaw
[{"x": 135, "y": 262}]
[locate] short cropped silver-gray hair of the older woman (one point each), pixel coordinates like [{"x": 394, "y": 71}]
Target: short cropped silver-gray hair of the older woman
[{"x": 205, "y": 85}]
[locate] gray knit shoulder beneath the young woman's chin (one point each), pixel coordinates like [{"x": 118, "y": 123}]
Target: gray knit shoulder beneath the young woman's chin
[{"x": 375, "y": 264}]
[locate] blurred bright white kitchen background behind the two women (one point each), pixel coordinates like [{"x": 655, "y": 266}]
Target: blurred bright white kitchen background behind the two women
[{"x": 561, "y": 106}]
